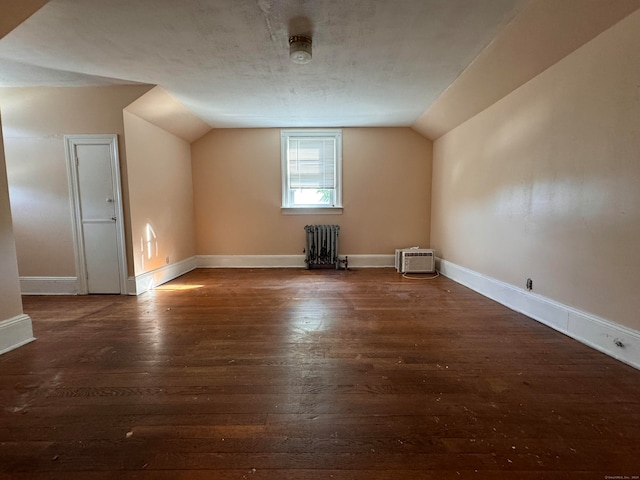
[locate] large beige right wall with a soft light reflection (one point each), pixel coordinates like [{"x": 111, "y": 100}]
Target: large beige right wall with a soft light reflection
[{"x": 546, "y": 182}]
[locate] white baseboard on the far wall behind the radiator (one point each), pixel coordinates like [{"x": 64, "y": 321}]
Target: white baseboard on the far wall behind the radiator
[{"x": 286, "y": 261}]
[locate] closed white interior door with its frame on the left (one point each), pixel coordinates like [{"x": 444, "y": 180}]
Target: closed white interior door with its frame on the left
[{"x": 95, "y": 182}]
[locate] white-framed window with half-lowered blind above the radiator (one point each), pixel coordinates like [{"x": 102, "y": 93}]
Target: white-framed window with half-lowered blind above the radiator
[{"x": 311, "y": 169}]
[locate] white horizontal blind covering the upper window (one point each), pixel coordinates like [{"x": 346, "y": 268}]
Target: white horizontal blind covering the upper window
[{"x": 312, "y": 163}]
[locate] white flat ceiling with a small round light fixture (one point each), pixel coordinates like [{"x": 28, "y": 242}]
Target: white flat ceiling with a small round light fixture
[{"x": 375, "y": 62}]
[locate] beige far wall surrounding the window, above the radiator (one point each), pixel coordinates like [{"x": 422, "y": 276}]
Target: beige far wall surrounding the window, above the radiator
[{"x": 237, "y": 191}]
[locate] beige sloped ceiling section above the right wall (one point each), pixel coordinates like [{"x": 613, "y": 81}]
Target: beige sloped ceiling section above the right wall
[{"x": 543, "y": 34}]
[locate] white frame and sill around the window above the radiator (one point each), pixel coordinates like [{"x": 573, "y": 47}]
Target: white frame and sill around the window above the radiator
[{"x": 287, "y": 205}]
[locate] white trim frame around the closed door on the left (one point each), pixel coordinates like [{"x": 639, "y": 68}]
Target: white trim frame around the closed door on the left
[{"x": 70, "y": 143}]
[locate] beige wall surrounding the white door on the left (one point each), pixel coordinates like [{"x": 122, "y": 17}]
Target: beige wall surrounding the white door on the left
[{"x": 35, "y": 120}]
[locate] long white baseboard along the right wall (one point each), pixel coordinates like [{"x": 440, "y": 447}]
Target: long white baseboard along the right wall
[{"x": 615, "y": 340}]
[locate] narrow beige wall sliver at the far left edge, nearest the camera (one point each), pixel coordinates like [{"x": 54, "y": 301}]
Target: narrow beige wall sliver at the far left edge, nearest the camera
[{"x": 10, "y": 300}]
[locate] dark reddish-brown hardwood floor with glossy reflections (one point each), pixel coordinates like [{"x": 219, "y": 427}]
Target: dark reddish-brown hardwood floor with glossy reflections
[{"x": 296, "y": 374}]
